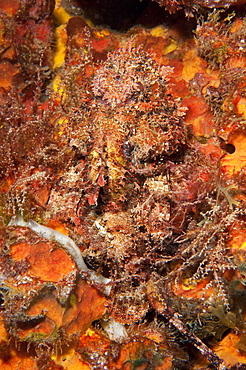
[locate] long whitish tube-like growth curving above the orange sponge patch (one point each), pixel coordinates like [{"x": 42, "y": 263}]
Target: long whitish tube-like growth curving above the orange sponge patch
[{"x": 67, "y": 243}]
